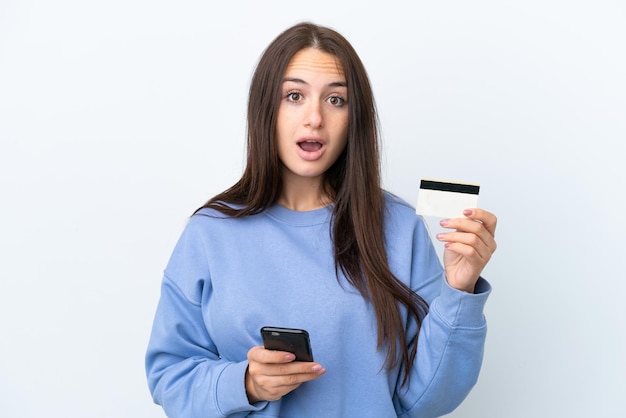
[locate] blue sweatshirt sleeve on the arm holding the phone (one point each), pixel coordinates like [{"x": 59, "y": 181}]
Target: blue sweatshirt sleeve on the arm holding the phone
[{"x": 186, "y": 375}]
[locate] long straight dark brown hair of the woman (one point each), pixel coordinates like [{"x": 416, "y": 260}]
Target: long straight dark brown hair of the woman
[{"x": 353, "y": 182}]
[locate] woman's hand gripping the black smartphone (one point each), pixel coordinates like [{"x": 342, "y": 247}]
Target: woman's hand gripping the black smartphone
[{"x": 273, "y": 374}]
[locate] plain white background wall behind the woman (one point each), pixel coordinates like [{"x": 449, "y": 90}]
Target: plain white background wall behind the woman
[{"x": 119, "y": 118}]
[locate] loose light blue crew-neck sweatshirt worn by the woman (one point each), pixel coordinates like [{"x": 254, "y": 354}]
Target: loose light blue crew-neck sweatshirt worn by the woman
[{"x": 227, "y": 278}]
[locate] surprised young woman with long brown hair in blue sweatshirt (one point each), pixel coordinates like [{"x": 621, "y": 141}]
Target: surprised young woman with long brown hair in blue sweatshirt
[{"x": 308, "y": 239}]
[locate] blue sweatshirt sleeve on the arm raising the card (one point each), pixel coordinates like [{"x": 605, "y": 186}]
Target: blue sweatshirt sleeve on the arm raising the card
[{"x": 450, "y": 344}]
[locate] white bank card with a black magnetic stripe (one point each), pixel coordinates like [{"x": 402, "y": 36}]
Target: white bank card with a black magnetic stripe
[{"x": 446, "y": 199}]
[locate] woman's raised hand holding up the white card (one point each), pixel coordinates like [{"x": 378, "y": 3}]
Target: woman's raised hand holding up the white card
[{"x": 468, "y": 248}]
